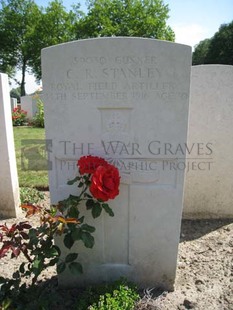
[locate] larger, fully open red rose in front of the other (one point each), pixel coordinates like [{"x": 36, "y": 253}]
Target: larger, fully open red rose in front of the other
[{"x": 105, "y": 182}]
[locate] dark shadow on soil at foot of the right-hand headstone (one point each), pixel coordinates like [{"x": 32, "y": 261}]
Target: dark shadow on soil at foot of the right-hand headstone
[{"x": 194, "y": 229}]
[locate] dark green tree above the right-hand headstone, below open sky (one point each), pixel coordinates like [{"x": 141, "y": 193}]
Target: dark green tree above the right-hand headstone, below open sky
[{"x": 218, "y": 49}]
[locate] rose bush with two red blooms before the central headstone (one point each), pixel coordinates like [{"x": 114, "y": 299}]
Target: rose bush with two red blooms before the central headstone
[{"x": 97, "y": 182}]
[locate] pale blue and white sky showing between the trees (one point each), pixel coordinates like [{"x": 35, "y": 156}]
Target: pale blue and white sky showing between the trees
[{"x": 191, "y": 20}]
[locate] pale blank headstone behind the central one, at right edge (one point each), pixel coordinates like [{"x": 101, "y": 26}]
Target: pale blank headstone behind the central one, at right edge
[{"x": 209, "y": 184}]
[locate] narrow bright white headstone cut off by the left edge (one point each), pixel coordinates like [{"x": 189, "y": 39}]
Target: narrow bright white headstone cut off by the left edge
[{"x": 9, "y": 186}]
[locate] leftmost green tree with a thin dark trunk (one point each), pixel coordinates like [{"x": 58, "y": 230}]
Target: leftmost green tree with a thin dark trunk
[{"x": 18, "y": 19}]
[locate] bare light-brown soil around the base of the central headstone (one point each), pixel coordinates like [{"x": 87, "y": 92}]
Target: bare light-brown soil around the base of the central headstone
[{"x": 204, "y": 278}]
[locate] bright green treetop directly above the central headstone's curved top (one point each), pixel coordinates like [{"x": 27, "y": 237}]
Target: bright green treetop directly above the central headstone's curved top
[{"x": 134, "y": 18}]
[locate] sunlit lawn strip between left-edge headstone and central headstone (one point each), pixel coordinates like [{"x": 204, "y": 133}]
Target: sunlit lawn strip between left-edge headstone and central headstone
[{"x": 31, "y": 172}]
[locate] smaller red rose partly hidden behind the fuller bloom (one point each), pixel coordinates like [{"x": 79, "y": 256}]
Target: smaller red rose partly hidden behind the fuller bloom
[{"x": 89, "y": 164}]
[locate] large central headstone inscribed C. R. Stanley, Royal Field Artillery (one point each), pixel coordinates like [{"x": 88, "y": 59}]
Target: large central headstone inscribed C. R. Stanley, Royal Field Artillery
[{"x": 121, "y": 98}]
